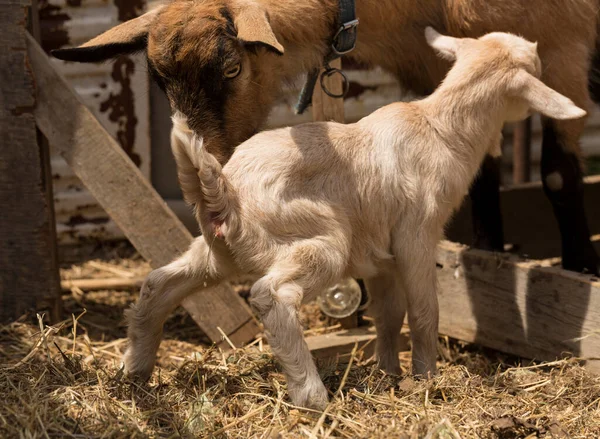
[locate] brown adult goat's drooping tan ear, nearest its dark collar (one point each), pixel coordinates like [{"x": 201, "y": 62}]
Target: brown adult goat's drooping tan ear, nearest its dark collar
[{"x": 253, "y": 27}]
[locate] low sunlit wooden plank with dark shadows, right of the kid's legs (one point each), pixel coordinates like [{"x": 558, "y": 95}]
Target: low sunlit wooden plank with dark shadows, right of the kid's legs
[{"x": 525, "y": 308}]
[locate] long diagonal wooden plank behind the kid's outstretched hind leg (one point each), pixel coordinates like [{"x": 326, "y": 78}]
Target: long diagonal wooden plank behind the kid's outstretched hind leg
[{"x": 124, "y": 193}]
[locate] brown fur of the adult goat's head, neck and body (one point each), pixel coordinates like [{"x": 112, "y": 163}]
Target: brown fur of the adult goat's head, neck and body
[{"x": 390, "y": 36}]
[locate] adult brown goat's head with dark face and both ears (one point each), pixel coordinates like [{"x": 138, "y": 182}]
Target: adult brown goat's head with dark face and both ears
[{"x": 203, "y": 54}]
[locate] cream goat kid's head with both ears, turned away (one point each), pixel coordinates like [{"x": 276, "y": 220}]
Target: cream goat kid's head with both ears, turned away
[{"x": 513, "y": 65}]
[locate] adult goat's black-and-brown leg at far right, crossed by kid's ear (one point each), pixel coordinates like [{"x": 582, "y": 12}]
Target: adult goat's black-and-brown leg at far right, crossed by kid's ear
[{"x": 562, "y": 173}]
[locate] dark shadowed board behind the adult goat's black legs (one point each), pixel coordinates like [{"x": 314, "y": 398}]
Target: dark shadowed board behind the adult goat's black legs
[{"x": 528, "y": 219}]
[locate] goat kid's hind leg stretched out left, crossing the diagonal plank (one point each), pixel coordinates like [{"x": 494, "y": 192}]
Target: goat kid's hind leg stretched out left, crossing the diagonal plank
[{"x": 164, "y": 289}]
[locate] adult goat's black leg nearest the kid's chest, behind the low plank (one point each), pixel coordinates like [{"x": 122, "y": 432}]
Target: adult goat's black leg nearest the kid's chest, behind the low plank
[{"x": 488, "y": 232}]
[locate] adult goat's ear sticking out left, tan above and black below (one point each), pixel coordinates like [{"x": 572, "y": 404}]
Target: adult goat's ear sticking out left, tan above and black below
[{"x": 128, "y": 37}]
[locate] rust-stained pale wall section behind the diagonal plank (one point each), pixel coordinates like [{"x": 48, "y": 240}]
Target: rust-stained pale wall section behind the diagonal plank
[{"x": 117, "y": 94}]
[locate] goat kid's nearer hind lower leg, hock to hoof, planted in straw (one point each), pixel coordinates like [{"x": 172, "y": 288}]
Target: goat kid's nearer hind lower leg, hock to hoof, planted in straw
[{"x": 277, "y": 306}]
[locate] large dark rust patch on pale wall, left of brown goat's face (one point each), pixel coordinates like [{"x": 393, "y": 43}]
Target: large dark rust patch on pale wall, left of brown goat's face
[{"x": 121, "y": 106}]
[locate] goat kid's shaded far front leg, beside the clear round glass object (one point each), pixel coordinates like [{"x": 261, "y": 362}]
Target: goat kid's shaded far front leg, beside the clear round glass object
[{"x": 388, "y": 304}]
